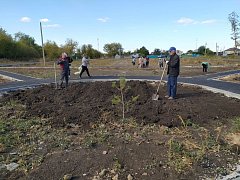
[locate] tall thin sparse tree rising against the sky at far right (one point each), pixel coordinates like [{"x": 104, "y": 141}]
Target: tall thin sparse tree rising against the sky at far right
[{"x": 233, "y": 18}]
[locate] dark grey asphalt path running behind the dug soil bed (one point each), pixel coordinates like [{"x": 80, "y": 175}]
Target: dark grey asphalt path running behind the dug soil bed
[{"x": 204, "y": 80}]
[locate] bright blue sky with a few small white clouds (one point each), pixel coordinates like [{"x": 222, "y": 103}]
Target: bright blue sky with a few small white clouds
[{"x": 185, "y": 24}]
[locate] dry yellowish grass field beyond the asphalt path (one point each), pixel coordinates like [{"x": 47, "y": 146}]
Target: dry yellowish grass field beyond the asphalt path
[{"x": 124, "y": 67}]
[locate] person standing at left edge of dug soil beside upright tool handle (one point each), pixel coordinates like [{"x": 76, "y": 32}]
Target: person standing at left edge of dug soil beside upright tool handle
[{"x": 64, "y": 66}]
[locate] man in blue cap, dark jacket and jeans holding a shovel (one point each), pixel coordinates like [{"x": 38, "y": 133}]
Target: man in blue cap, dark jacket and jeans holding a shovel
[{"x": 173, "y": 72}]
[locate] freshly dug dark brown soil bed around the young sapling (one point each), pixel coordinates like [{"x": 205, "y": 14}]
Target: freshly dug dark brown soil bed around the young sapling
[{"x": 83, "y": 103}]
